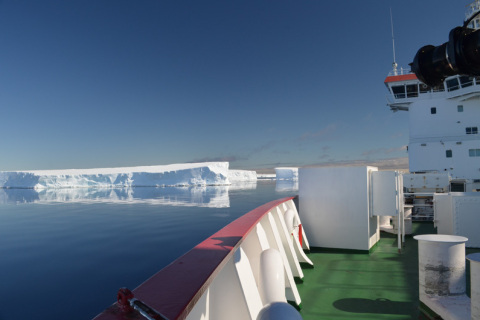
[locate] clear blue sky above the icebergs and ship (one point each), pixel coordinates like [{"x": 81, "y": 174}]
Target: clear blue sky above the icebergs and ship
[{"x": 258, "y": 83}]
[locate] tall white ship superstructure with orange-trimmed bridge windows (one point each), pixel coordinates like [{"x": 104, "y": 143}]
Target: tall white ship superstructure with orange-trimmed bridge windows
[{"x": 444, "y": 122}]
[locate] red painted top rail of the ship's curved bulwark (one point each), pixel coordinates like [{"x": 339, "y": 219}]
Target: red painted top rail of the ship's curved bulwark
[{"x": 175, "y": 289}]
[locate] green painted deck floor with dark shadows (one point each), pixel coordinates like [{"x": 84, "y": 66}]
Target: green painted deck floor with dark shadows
[{"x": 380, "y": 285}]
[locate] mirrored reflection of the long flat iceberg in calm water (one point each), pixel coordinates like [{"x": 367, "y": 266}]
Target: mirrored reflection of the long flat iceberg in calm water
[{"x": 200, "y": 196}]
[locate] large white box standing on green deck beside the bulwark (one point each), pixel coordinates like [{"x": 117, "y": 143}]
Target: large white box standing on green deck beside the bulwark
[{"x": 335, "y": 207}]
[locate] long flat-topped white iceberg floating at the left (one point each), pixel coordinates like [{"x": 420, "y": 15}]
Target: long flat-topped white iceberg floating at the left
[{"x": 188, "y": 174}]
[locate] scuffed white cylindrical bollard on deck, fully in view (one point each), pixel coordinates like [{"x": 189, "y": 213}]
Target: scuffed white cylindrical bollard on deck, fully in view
[{"x": 441, "y": 264}]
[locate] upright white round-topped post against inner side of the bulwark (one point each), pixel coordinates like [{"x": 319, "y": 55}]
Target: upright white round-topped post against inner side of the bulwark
[{"x": 272, "y": 276}]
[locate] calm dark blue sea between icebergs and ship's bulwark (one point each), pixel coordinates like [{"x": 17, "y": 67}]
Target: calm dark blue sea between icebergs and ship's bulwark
[{"x": 65, "y": 253}]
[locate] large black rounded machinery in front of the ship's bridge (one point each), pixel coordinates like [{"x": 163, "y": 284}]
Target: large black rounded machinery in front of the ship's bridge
[{"x": 460, "y": 55}]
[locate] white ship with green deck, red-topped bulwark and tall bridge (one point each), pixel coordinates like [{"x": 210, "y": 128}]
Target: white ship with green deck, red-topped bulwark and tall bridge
[{"x": 352, "y": 244}]
